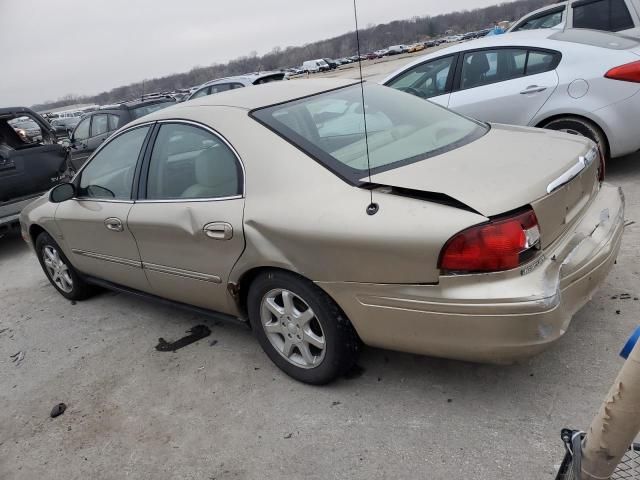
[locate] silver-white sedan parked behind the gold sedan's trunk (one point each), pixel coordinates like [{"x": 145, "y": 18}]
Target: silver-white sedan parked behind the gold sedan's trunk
[{"x": 583, "y": 82}]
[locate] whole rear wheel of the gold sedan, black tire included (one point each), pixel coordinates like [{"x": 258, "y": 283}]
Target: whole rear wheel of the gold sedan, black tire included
[{"x": 301, "y": 328}]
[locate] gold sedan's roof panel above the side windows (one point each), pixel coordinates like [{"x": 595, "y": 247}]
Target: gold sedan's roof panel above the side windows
[{"x": 255, "y": 97}]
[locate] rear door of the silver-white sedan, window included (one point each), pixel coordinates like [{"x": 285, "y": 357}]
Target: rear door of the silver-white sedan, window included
[{"x": 504, "y": 85}]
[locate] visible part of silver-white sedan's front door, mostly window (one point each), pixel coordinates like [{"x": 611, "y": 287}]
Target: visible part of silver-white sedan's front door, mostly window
[{"x": 430, "y": 80}]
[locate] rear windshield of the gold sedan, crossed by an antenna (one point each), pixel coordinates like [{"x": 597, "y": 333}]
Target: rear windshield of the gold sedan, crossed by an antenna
[{"x": 401, "y": 129}]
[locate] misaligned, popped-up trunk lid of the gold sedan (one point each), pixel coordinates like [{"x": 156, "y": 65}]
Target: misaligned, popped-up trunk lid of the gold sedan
[{"x": 508, "y": 168}]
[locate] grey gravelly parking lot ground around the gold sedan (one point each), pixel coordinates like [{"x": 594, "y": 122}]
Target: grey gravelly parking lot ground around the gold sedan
[{"x": 219, "y": 409}]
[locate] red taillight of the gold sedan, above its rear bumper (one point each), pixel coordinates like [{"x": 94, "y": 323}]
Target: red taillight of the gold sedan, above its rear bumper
[{"x": 501, "y": 244}]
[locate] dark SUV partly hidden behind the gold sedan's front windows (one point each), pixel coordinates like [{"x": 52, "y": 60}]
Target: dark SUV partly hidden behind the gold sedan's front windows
[{"x": 96, "y": 127}]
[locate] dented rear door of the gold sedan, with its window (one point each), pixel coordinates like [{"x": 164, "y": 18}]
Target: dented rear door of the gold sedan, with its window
[{"x": 188, "y": 221}]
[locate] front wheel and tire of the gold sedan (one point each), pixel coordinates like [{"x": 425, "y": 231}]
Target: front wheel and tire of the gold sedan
[{"x": 59, "y": 270}]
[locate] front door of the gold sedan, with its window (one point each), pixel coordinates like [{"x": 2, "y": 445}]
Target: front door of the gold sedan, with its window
[{"x": 94, "y": 225}]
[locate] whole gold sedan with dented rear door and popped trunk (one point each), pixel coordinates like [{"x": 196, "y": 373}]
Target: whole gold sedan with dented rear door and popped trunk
[{"x": 433, "y": 234}]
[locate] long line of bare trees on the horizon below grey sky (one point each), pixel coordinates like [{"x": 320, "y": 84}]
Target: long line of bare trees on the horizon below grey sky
[{"x": 372, "y": 38}]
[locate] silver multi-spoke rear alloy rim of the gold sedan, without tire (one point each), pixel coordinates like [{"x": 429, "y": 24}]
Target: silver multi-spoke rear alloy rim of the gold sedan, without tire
[{"x": 293, "y": 328}]
